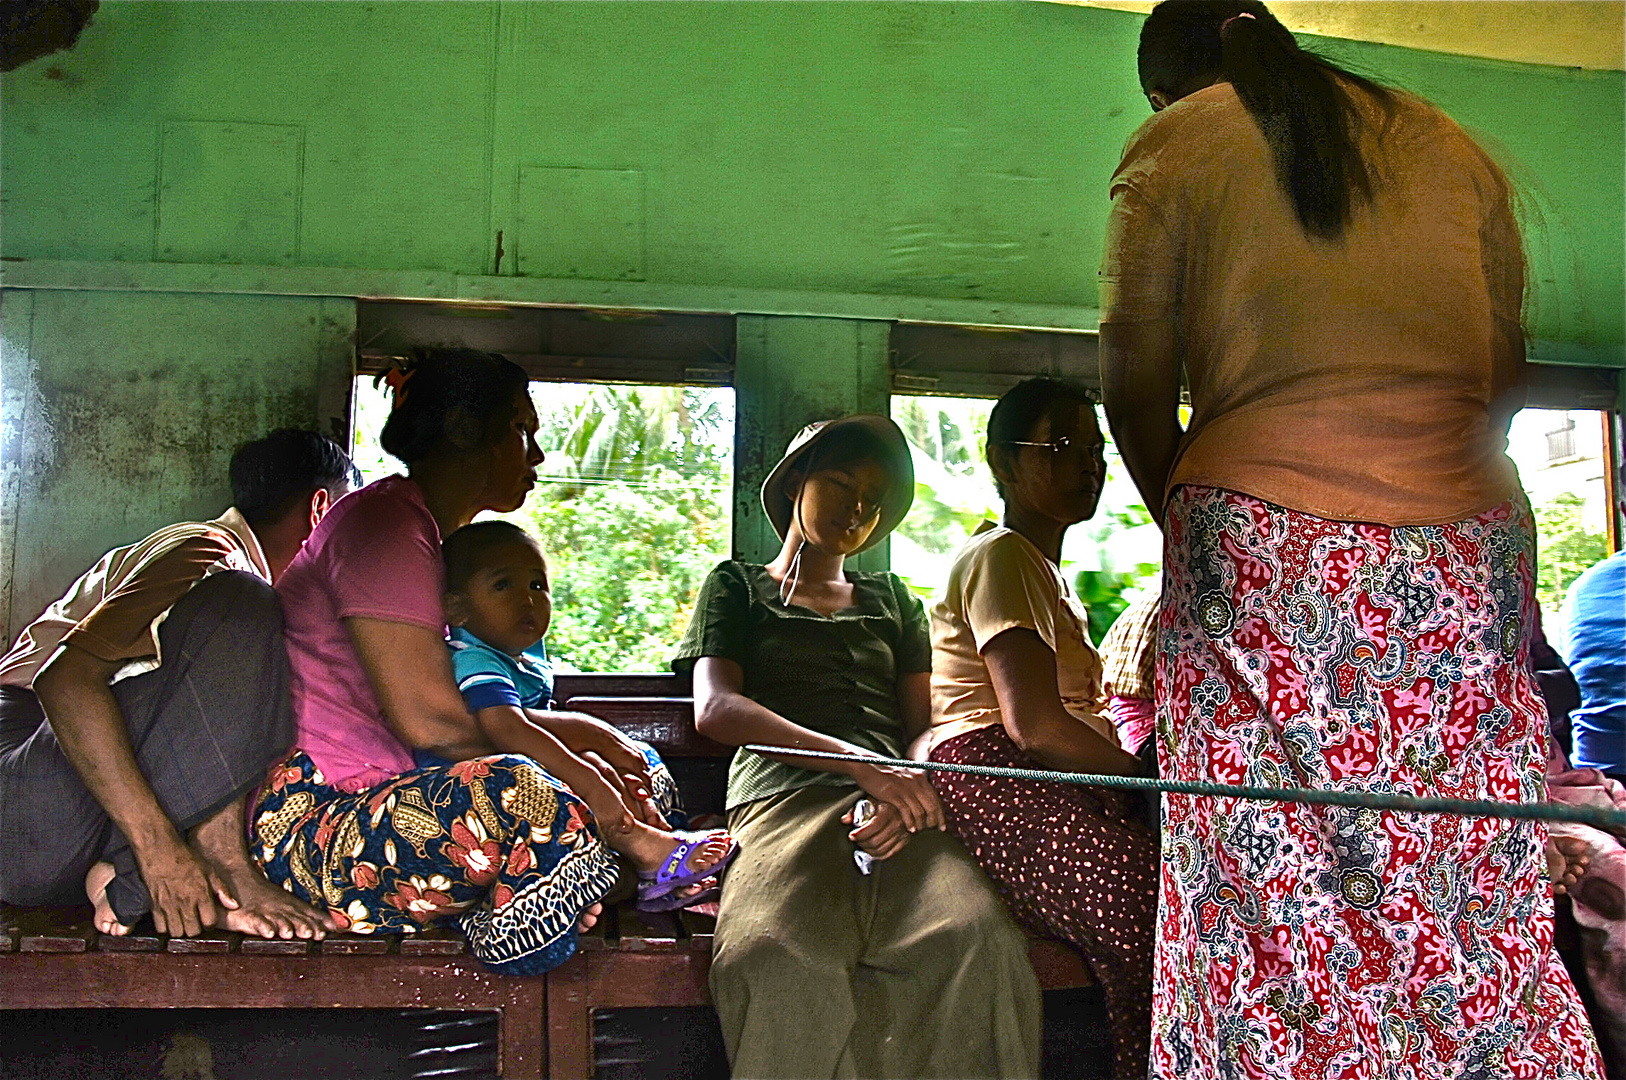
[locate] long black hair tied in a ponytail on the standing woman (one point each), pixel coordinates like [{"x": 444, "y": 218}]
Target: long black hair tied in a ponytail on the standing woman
[{"x": 1293, "y": 95}]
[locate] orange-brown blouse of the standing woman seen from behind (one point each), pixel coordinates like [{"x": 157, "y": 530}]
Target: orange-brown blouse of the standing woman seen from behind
[{"x": 1347, "y": 380}]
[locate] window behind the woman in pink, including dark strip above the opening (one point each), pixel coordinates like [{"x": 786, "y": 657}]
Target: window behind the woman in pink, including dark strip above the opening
[{"x": 637, "y": 416}]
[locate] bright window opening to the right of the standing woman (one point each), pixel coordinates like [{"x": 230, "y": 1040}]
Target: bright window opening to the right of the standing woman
[{"x": 1563, "y": 463}]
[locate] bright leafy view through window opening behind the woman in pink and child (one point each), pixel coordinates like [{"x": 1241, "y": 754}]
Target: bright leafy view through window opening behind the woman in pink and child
[{"x": 633, "y": 510}]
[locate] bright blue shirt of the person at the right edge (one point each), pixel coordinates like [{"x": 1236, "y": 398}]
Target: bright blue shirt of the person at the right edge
[{"x": 1596, "y": 651}]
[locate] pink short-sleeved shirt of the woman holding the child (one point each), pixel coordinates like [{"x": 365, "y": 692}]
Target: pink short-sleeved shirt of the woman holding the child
[{"x": 375, "y": 555}]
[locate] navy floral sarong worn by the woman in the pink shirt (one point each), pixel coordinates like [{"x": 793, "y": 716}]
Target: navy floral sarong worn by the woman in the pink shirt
[{"x": 495, "y": 847}]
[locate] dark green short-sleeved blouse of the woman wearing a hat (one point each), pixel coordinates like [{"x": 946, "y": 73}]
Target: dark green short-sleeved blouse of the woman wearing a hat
[{"x": 833, "y": 674}]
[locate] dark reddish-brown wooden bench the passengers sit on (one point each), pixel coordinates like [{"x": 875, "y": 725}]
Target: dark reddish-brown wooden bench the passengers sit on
[{"x": 54, "y": 959}]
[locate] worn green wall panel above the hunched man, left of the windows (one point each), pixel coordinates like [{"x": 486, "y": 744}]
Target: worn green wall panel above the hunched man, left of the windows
[{"x": 123, "y": 409}]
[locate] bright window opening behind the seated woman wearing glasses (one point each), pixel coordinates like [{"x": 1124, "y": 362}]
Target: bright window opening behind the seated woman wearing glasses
[{"x": 1110, "y": 559}]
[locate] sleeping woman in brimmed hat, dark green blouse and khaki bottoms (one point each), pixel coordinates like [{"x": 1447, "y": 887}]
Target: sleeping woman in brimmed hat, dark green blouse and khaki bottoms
[{"x": 820, "y": 970}]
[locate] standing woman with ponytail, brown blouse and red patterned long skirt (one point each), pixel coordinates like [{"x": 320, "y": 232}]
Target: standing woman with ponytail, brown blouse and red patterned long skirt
[{"x": 1347, "y": 567}]
